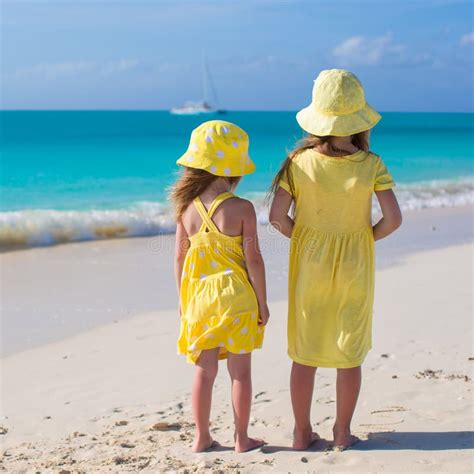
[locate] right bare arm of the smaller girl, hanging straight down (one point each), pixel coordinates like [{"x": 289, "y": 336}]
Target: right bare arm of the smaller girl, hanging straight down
[{"x": 254, "y": 261}]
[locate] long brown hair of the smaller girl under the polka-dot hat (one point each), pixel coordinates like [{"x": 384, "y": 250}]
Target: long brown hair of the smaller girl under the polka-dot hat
[{"x": 191, "y": 184}]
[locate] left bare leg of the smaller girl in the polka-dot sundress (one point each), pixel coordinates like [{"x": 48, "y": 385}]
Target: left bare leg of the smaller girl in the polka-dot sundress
[{"x": 206, "y": 371}]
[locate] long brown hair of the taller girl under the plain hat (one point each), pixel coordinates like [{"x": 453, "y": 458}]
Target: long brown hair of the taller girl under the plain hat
[{"x": 360, "y": 140}]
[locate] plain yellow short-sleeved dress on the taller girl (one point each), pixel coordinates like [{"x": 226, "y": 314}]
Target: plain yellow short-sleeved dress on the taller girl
[{"x": 332, "y": 264}]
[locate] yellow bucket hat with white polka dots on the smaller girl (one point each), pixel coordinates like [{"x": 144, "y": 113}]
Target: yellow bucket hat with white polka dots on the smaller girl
[{"x": 219, "y": 147}]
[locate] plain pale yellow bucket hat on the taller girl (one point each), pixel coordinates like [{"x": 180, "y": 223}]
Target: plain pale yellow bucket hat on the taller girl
[{"x": 338, "y": 107}]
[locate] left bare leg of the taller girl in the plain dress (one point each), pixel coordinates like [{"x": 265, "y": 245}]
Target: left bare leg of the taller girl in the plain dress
[{"x": 301, "y": 386}]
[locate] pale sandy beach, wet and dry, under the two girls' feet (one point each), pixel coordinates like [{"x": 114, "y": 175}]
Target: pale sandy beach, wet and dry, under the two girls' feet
[{"x": 91, "y": 381}]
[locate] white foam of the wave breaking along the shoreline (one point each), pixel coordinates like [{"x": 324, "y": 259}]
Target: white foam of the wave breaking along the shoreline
[{"x": 45, "y": 227}]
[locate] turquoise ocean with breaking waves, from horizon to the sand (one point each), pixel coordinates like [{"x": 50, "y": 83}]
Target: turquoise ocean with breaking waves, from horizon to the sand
[{"x": 81, "y": 175}]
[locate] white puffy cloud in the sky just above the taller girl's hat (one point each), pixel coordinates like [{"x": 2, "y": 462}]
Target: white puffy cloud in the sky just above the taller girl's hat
[{"x": 361, "y": 50}]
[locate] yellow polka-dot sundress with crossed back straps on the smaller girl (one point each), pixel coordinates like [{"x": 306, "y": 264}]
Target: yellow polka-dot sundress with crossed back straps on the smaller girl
[{"x": 219, "y": 307}]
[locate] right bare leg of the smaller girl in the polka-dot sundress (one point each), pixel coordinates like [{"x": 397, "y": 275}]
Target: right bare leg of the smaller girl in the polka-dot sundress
[{"x": 239, "y": 366}]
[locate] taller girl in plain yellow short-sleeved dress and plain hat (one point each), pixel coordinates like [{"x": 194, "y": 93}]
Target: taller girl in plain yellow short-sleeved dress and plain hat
[{"x": 330, "y": 180}]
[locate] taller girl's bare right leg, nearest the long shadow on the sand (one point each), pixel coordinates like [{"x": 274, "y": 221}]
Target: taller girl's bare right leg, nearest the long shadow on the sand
[{"x": 347, "y": 388}]
